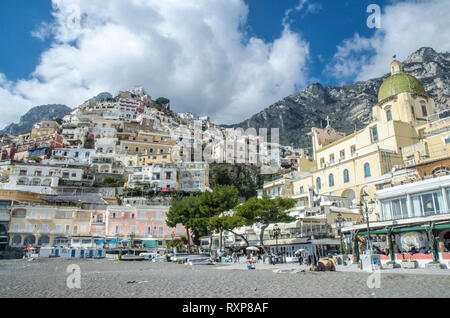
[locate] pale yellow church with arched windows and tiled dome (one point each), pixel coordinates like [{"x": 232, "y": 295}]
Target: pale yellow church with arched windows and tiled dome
[{"x": 345, "y": 165}]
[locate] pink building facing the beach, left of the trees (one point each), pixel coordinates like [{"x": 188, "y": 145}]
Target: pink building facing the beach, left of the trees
[{"x": 141, "y": 223}]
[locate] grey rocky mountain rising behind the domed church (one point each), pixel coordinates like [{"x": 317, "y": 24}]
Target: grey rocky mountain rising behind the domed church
[{"x": 349, "y": 106}]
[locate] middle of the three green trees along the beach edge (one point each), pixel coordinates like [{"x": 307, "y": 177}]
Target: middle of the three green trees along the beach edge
[{"x": 223, "y": 198}]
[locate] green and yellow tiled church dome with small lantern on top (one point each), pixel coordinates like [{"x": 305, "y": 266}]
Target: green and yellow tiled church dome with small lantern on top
[{"x": 399, "y": 82}]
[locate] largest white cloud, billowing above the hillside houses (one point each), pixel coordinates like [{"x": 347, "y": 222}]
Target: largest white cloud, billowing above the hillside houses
[{"x": 193, "y": 52}]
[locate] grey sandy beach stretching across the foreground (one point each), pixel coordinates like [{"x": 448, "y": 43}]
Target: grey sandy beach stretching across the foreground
[{"x": 100, "y": 278}]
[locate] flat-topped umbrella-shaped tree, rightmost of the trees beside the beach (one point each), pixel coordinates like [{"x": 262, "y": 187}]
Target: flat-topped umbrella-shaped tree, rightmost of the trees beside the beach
[{"x": 265, "y": 211}]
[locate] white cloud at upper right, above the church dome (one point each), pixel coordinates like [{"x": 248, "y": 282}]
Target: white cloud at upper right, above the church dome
[{"x": 406, "y": 27}]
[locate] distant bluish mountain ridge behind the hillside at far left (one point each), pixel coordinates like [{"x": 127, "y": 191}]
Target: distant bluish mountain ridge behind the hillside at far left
[{"x": 35, "y": 115}]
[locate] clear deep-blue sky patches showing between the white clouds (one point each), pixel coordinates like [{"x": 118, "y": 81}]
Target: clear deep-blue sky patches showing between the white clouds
[{"x": 325, "y": 29}]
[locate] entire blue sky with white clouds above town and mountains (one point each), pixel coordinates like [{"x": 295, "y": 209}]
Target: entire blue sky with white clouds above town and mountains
[{"x": 228, "y": 59}]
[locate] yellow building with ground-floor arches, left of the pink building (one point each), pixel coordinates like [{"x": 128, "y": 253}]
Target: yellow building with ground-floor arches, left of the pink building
[{"x": 47, "y": 225}]
